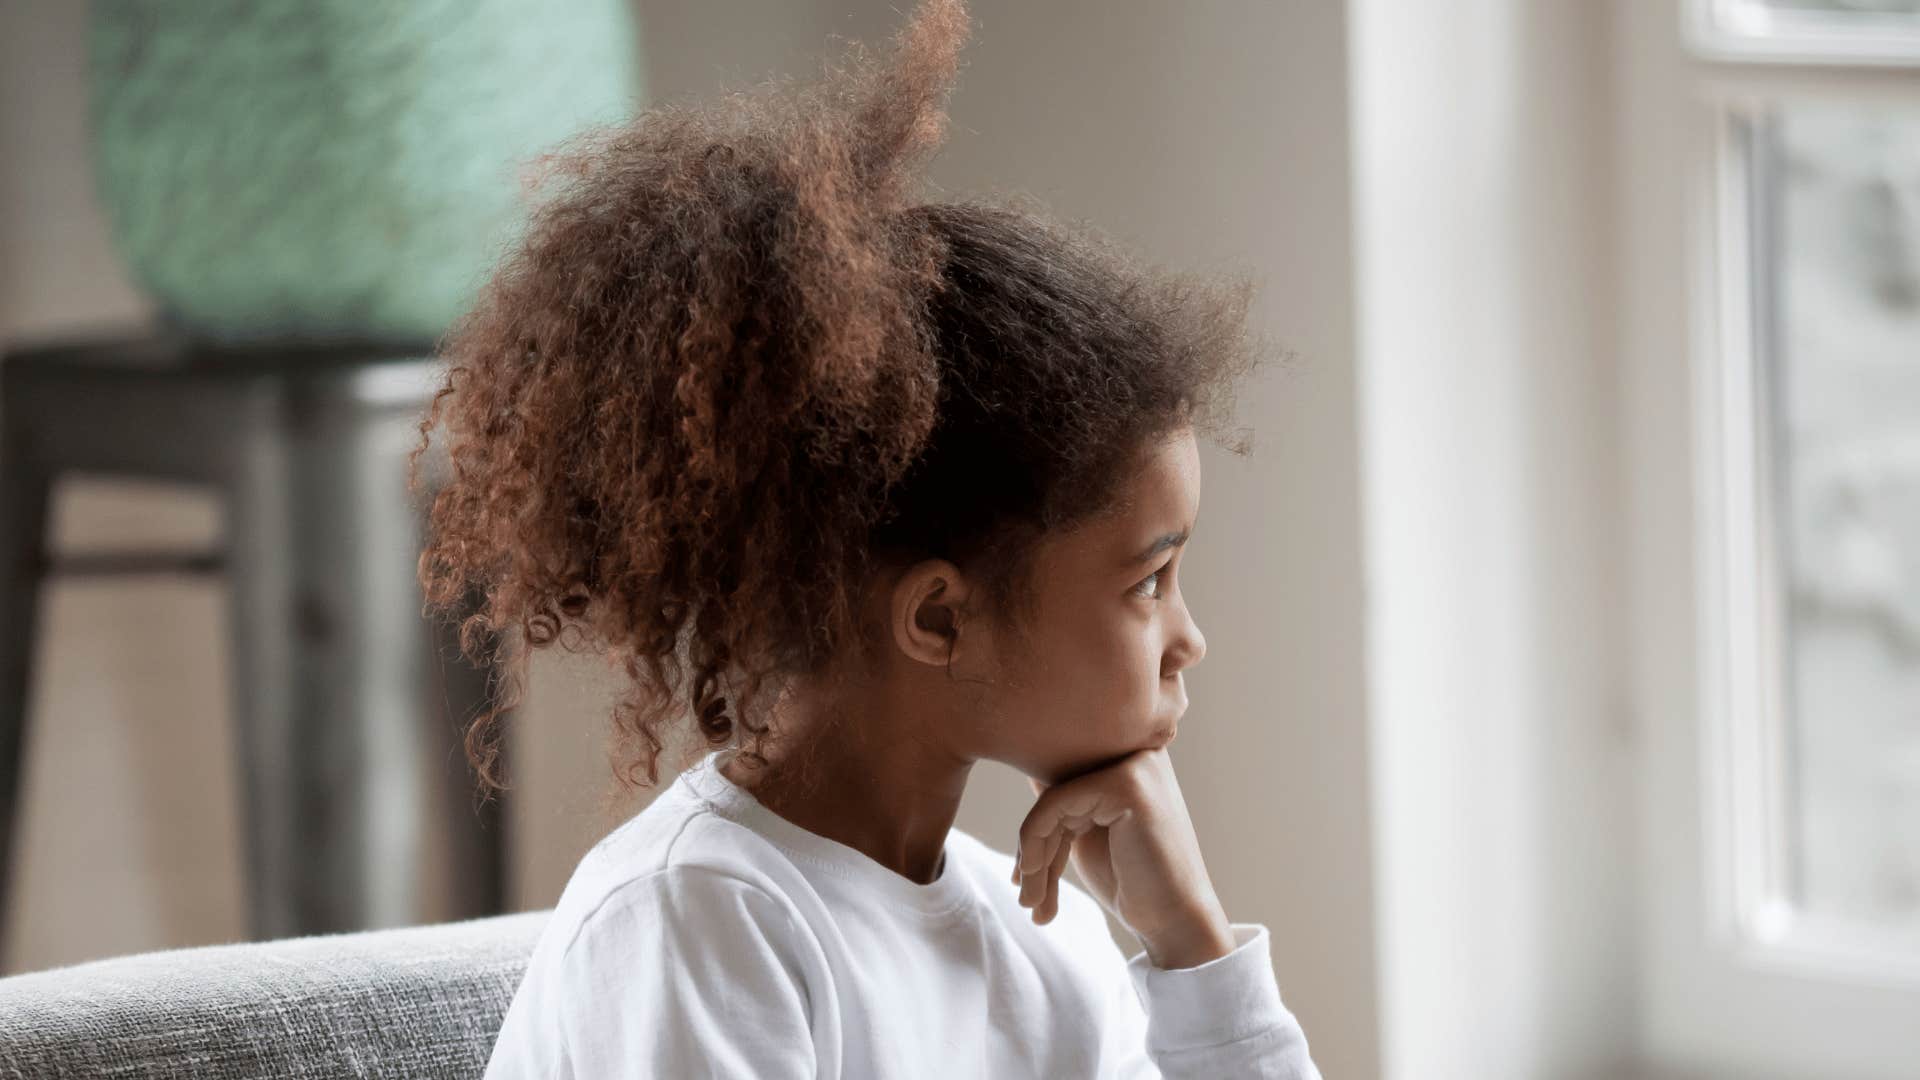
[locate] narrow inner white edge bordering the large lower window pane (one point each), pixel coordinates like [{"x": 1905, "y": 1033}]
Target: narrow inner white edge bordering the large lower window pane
[{"x": 1744, "y": 627}]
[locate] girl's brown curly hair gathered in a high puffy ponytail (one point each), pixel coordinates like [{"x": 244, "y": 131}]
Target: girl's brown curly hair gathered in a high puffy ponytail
[{"x": 734, "y": 370}]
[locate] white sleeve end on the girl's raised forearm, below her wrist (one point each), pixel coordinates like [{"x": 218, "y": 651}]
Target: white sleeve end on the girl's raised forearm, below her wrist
[{"x": 1216, "y": 1019}]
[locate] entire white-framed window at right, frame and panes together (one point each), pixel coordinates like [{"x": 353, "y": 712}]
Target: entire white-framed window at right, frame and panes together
[{"x": 1771, "y": 335}]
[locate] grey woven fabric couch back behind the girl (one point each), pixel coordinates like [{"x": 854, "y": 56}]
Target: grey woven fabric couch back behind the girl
[{"x": 416, "y": 1002}]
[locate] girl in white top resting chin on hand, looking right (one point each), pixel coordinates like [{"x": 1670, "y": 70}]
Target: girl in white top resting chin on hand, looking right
[{"x": 871, "y": 491}]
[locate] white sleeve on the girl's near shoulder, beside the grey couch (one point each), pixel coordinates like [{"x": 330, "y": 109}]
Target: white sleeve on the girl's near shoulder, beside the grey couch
[{"x": 686, "y": 973}]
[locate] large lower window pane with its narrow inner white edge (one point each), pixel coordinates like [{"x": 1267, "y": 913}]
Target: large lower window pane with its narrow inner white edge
[{"x": 1821, "y": 747}]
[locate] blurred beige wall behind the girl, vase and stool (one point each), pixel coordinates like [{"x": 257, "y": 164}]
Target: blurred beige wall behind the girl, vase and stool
[{"x": 1201, "y": 134}]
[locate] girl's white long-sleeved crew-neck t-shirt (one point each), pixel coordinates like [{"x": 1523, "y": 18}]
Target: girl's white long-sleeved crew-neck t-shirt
[{"x": 709, "y": 937}]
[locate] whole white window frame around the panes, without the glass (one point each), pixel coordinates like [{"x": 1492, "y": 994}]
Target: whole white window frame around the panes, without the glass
[{"x": 1731, "y": 985}]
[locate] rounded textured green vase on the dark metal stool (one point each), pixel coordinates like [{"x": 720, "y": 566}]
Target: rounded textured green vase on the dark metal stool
[{"x": 337, "y": 170}]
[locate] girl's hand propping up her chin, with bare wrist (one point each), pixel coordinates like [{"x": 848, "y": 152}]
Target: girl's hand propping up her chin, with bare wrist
[{"x": 1128, "y": 833}]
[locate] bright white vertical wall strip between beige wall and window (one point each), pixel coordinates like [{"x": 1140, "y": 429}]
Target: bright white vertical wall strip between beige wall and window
[{"x": 1487, "y": 381}]
